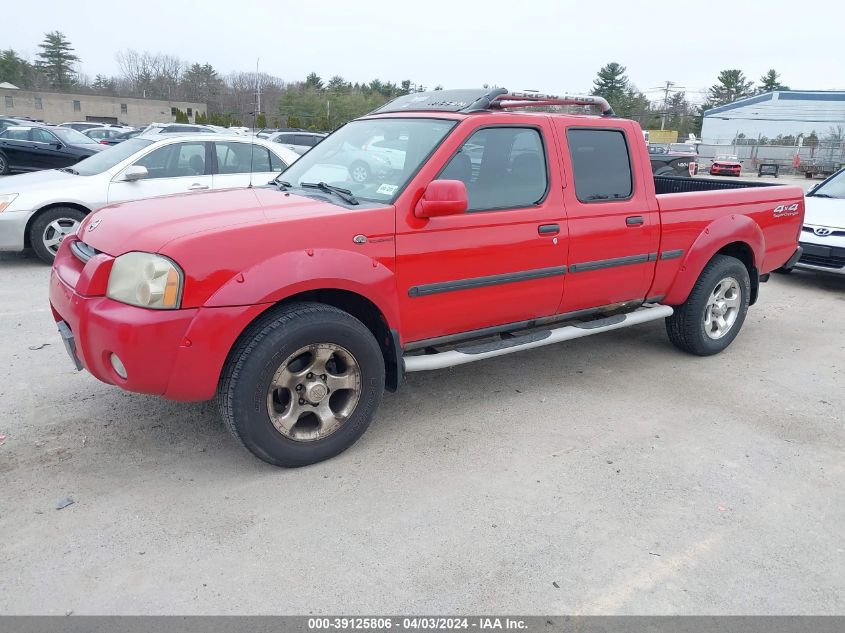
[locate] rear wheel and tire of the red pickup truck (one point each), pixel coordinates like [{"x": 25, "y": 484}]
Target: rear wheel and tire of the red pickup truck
[{"x": 695, "y": 327}]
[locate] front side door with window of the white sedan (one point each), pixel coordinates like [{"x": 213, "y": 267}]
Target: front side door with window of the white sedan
[{"x": 173, "y": 168}]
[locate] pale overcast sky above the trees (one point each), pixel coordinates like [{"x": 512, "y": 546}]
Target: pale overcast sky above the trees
[{"x": 552, "y": 46}]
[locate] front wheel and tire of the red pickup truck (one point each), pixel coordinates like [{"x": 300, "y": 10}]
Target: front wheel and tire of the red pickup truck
[{"x": 271, "y": 353}]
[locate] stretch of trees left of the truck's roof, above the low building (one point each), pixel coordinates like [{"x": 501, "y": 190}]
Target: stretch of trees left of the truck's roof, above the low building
[{"x": 238, "y": 98}]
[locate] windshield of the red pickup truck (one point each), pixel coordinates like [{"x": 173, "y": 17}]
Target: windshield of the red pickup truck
[{"x": 372, "y": 158}]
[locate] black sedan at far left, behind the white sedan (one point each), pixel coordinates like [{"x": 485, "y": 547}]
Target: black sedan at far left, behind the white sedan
[{"x": 30, "y": 148}]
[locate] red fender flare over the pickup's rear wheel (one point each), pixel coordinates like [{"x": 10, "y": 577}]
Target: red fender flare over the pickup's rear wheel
[{"x": 725, "y": 230}]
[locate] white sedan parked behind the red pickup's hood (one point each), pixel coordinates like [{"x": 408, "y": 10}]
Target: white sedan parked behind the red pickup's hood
[{"x": 39, "y": 209}]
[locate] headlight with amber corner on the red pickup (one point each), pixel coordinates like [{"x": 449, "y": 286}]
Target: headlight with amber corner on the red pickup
[{"x": 146, "y": 280}]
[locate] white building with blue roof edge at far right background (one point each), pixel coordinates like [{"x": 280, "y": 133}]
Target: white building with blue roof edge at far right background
[{"x": 784, "y": 112}]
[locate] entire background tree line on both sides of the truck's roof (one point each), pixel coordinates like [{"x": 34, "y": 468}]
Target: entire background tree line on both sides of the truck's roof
[{"x": 247, "y": 98}]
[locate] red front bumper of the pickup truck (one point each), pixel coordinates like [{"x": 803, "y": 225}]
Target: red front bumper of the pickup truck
[{"x": 178, "y": 354}]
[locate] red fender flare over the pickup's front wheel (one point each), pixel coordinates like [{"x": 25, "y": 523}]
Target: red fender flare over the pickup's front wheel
[{"x": 291, "y": 273}]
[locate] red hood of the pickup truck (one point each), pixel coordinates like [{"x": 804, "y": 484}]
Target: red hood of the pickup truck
[{"x": 149, "y": 225}]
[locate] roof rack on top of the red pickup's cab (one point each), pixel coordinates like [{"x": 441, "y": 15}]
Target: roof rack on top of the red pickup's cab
[{"x": 467, "y": 101}]
